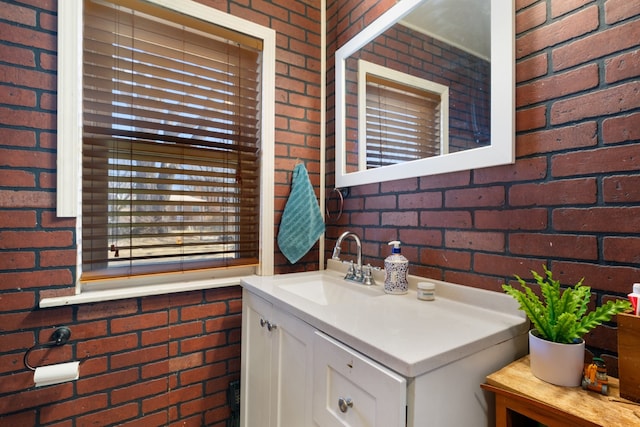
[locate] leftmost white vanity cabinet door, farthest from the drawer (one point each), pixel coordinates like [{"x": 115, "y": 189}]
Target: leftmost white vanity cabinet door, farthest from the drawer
[{"x": 257, "y": 387}]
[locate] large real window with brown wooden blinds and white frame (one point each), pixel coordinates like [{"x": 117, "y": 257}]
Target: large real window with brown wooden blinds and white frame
[{"x": 177, "y": 136}]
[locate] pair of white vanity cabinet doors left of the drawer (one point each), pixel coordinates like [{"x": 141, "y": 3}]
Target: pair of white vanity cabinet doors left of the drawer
[{"x": 277, "y": 354}]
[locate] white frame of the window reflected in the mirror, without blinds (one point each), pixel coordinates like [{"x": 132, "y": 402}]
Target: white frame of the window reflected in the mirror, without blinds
[{"x": 368, "y": 68}]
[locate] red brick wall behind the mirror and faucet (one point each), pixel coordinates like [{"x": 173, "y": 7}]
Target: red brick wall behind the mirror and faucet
[{"x": 571, "y": 200}]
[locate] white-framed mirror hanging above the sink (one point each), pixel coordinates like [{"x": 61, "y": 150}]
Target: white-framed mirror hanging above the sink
[{"x": 453, "y": 62}]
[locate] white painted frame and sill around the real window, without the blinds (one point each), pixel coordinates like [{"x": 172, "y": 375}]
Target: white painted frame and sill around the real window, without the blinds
[{"x": 69, "y": 156}]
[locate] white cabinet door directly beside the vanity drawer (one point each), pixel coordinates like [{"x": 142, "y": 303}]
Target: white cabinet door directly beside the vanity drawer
[{"x": 294, "y": 357}]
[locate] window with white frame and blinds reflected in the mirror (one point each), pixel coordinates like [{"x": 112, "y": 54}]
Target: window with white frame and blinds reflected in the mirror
[{"x": 401, "y": 118}]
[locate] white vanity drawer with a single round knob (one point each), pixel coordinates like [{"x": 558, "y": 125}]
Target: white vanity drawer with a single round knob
[{"x": 352, "y": 390}]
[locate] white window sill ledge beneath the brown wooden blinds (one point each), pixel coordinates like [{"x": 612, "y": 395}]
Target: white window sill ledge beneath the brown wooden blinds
[{"x": 138, "y": 291}]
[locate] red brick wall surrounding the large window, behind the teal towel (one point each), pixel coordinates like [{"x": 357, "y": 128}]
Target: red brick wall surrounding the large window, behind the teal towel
[{"x": 164, "y": 360}]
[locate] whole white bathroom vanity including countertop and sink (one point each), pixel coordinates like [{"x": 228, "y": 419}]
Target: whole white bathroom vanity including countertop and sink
[{"x": 318, "y": 353}]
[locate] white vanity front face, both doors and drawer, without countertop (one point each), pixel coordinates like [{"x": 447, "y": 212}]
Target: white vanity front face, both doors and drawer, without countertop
[{"x": 294, "y": 375}]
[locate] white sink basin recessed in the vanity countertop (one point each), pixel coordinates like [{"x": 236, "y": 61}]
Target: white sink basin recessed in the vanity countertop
[{"x": 323, "y": 290}]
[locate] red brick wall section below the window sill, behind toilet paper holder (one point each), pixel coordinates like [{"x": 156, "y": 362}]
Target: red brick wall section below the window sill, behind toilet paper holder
[{"x": 148, "y": 361}]
